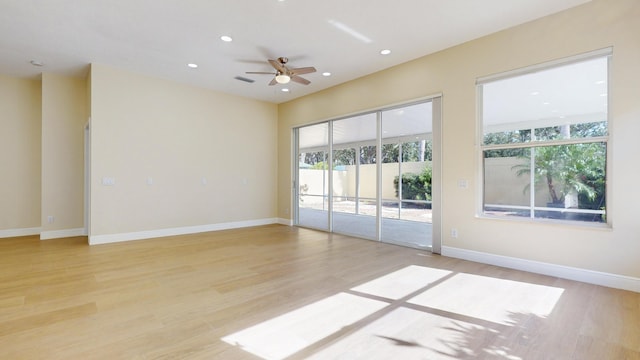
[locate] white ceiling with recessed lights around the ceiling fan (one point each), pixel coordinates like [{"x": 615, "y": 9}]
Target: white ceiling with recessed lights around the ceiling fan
[{"x": 160, "y": 37}]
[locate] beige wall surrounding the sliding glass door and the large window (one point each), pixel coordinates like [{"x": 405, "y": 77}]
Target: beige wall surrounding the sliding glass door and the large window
[{"x": 453, "y": 73}]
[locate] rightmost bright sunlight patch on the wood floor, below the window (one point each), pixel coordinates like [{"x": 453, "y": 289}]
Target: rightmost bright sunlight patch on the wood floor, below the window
[{"x": 489, "y": 298}]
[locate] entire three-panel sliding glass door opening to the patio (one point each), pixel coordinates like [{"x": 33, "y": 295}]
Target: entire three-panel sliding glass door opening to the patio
[{"x": 371, "y": 175}]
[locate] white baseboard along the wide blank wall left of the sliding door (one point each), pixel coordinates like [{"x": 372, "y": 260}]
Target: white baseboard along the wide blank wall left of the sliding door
[{"x": 149, "y": 234}]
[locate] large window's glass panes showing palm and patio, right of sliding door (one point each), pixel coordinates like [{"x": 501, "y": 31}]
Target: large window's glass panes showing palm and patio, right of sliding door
[{"x": 544, "y": 141}]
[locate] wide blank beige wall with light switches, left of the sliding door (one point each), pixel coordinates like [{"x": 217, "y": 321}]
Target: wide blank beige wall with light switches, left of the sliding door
[{"x": 147, "y": 128}]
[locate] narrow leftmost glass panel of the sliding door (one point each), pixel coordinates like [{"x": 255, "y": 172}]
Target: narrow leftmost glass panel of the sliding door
[{"x": 313, "y": 177}]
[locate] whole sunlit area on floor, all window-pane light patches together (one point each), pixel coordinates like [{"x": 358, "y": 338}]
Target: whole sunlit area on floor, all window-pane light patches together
[{"x": 479, "y": 309}]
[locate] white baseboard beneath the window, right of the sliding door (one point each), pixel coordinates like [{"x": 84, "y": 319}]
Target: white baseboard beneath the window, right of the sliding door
[{"x": 561, "y": 271}]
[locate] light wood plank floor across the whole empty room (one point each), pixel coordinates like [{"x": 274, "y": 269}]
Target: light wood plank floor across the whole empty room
[{"x": 275, "y": 292}]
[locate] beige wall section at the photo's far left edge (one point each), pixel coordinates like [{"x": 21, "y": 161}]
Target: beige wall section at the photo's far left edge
[{"x": 19, "y": 153}]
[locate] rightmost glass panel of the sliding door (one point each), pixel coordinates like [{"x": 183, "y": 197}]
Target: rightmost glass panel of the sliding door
[{"x": 406, "y": 175}]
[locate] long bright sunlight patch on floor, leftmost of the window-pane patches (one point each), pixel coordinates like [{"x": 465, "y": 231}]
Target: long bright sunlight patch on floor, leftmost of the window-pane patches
[{"x": 287, "y": 334}]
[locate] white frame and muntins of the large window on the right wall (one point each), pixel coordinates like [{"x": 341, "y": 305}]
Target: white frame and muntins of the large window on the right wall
[{"x": 532, "y": 143}]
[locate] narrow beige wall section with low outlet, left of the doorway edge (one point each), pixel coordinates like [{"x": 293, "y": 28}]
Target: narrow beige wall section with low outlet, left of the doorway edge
[{"x": 64, "y": 116}]
